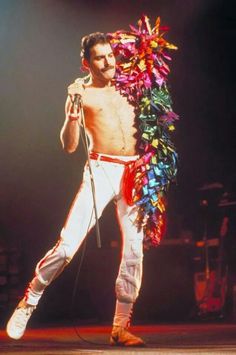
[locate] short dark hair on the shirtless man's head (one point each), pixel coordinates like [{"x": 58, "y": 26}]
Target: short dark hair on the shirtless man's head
[{"x": 91, "y": 40}]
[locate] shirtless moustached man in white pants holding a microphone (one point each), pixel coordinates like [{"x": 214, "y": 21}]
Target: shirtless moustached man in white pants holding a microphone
[{"x": 109, "y": 121}]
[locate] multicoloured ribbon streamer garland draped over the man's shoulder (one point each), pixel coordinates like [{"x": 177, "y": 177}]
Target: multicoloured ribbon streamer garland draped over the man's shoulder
[{"x": 141, "y": 76}]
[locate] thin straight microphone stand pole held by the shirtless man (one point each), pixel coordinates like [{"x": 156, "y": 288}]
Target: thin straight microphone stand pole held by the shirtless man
[{"x": 98, "y": 236}]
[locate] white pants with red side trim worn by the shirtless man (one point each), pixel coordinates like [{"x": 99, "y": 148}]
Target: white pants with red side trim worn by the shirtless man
[{"x": 108, "y": 186}]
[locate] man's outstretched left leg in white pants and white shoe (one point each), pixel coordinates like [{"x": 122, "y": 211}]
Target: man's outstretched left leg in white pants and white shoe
[{"x": 79, "y": 222}]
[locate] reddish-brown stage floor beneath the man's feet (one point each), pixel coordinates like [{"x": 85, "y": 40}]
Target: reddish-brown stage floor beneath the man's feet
[{"x": 203, "y": 338}]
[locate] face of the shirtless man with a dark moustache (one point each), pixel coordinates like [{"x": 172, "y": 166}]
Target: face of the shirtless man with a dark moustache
[{"x": 102, "y": 62}]
